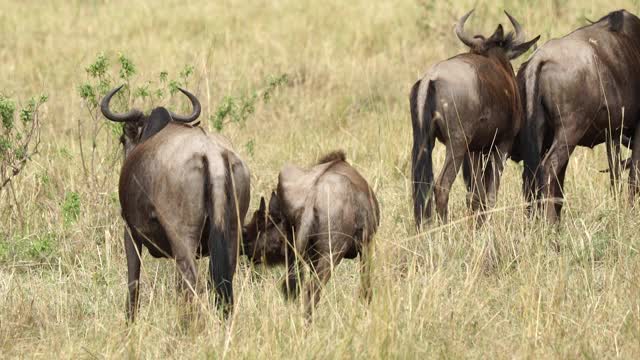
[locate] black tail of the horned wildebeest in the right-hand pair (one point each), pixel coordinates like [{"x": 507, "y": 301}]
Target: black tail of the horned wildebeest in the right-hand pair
[{"x": 421, "y": 163}]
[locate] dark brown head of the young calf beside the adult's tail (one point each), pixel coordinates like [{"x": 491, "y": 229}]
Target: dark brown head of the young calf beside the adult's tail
[{"x": 265, "y": 236}]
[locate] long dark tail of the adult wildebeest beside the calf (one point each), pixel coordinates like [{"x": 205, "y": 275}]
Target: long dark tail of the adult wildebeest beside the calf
[{"x": 218, "y": 190}]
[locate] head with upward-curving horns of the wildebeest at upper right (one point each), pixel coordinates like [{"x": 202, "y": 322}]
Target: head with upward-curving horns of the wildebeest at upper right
[{"x": 511, "y": 44}]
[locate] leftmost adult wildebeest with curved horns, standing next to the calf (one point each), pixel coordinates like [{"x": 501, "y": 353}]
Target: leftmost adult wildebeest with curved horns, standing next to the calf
[{"x": 183, "y": 194}]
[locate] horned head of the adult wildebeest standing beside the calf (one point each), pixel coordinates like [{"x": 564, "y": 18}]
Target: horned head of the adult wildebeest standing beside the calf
[{"x": 139, "y": 127}]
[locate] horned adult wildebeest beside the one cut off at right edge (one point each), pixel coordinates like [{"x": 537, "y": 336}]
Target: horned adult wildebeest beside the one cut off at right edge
[{"x": 471, "y": 104}]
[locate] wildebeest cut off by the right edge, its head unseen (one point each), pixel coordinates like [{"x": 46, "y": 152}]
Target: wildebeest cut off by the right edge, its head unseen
[{"x": 576, "y": 90}]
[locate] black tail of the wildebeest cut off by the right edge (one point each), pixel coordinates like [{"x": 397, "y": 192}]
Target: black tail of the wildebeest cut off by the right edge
[{"x": 527, "y": 141}]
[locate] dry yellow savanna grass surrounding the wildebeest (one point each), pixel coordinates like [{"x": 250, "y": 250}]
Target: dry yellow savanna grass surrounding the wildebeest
[{"x": 338, "y": 75}]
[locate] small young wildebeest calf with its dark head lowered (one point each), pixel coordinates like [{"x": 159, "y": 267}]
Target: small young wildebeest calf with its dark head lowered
[{"x": 317, "y": 216}]
